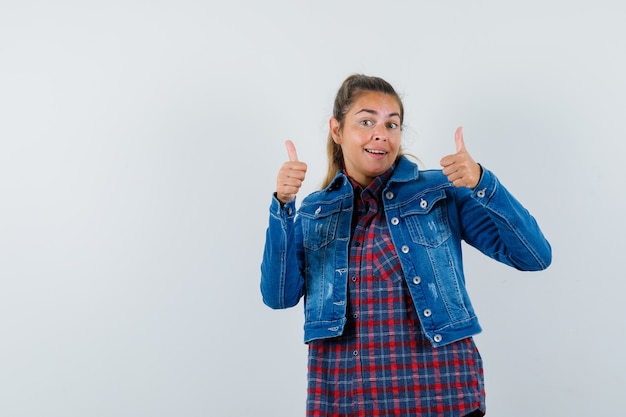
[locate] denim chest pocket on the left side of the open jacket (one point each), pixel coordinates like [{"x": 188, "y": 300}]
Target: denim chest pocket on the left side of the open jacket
[{"x": 319, "y": 224}]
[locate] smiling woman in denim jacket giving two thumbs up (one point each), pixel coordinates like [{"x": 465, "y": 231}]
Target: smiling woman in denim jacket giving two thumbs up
[{"x": 376, "y": 254}]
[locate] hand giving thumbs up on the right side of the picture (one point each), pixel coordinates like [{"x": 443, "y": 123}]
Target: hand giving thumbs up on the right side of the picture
[{"x": 460, "y": 168}]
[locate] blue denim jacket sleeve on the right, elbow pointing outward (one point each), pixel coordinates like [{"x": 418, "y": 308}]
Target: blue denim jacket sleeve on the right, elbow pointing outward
[{"x": 495, "y": 223}]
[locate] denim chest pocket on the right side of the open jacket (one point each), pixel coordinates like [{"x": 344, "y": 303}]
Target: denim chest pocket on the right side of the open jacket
[{"x": 427, "y": 219}]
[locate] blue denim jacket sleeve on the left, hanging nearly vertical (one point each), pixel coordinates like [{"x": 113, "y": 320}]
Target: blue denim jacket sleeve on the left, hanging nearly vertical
[{"x": 281, "y": 280}]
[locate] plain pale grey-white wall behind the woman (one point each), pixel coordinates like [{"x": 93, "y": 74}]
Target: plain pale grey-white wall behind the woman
[{"x": 139, "y": 143}]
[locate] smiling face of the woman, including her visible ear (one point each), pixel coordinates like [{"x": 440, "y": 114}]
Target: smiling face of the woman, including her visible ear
[{"x": 370, "y": 137}]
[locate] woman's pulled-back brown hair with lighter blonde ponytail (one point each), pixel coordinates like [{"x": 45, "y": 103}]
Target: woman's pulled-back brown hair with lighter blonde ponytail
[{"x": 348, "y": 93}]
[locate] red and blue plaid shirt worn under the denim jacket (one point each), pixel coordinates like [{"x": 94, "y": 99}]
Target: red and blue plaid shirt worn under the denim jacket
[{"x": 383, "y": 365}]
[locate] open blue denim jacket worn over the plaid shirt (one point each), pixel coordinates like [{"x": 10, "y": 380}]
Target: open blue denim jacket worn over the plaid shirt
[{"x": 307, "y": 254}]
